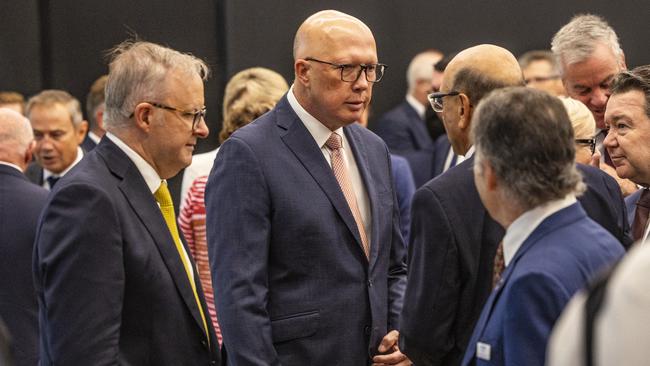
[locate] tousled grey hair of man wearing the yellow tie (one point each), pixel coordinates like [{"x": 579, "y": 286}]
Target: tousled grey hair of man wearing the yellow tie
[{"x": 137, "y": 71}]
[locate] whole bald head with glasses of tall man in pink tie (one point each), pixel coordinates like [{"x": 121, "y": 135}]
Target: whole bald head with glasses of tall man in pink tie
[{"x": 328, "y": 44}]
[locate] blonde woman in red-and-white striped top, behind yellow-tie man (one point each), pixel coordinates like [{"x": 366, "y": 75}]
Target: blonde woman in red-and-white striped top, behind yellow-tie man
[{"x": 249, "y": 94}]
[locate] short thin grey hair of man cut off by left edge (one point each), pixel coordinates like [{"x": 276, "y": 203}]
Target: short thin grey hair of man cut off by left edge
[{"x": 15, "y": 131}]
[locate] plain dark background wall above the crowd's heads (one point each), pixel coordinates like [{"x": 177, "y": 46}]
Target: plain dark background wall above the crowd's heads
[{"x": 60, "y": 44}]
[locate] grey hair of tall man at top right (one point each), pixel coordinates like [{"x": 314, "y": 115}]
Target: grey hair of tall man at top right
[{"x": 576, "y": 41}]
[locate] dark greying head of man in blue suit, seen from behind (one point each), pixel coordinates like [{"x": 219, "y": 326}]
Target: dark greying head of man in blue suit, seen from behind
[{"x": 526, "y": 137}]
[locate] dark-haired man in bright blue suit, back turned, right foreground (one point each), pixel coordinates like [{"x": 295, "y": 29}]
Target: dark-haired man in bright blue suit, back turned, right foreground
[{"x": 551, "y": 248}]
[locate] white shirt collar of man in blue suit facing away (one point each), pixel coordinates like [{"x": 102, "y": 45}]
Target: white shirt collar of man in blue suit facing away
[{"x": 524, "y": 225}]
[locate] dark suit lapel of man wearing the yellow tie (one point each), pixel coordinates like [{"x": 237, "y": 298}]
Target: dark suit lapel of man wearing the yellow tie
[{"x": 145, "y": 207}]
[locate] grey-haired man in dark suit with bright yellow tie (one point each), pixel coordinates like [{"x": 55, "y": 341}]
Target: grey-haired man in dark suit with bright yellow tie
[{"x": 115, "y": 282}]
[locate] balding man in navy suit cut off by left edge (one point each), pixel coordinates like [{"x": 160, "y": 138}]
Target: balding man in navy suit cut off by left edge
[{"x": 20, "y": 205}]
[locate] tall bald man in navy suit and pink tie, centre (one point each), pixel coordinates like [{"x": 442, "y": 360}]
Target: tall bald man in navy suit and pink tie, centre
[{"x": 310, "y": 265}]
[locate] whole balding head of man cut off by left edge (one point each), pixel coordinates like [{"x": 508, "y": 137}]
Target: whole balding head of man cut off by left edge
[{"x": 16, "y": 138}]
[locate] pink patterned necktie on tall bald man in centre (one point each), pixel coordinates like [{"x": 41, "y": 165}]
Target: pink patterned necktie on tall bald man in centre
[{"x": 334, "y": 143}]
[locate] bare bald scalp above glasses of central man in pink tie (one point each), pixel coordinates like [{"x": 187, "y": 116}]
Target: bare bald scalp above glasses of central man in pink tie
[{"x": 326, "y": 29}]
